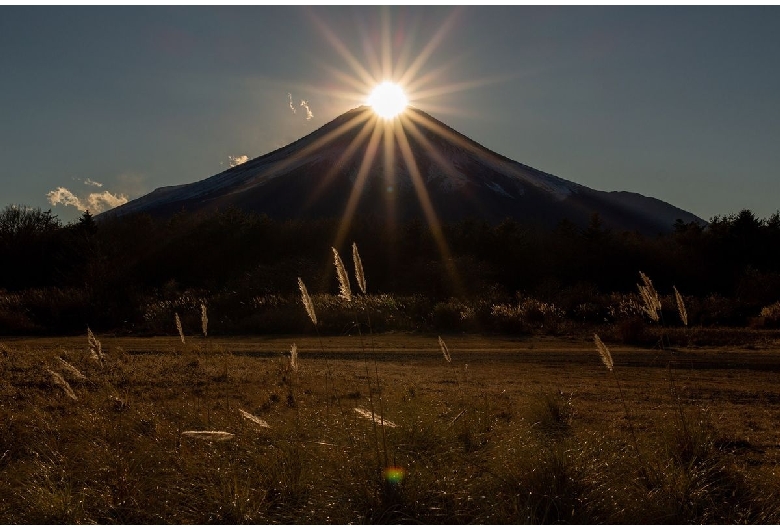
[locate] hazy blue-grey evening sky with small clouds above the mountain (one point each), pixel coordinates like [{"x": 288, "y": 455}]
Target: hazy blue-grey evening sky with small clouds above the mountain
[{"x": 105, "y": 104}]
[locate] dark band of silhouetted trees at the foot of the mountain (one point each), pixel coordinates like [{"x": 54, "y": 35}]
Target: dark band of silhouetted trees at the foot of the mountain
[{"x": 106, "y": 272}]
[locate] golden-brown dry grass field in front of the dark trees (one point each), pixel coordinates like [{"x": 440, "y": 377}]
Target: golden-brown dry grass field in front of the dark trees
[{"x": 512, "y": 430}]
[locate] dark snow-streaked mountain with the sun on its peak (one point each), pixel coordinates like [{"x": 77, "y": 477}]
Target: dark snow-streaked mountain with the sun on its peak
[{"x": 359, "y": 165}]
